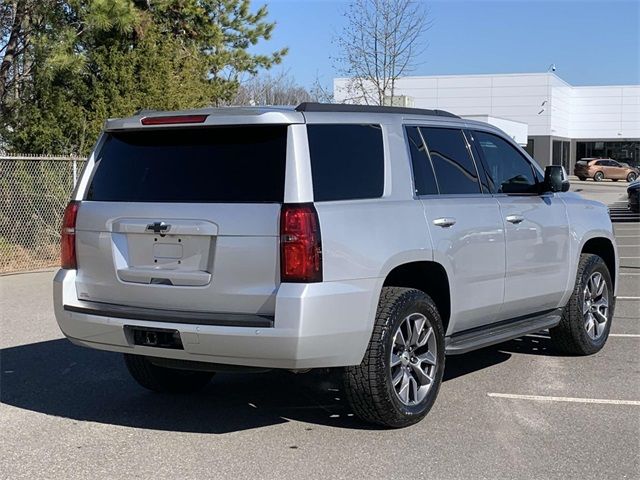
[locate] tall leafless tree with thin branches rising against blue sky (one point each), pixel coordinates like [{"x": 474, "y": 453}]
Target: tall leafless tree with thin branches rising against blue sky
[{"x": 381, "y": 41}]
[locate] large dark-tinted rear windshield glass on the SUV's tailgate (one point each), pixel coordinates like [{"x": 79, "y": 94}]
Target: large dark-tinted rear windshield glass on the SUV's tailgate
[{"x": 215, "y": 164}]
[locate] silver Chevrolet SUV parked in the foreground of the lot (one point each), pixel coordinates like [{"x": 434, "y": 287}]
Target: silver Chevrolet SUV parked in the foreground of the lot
[{"x": 375, "y": 239}]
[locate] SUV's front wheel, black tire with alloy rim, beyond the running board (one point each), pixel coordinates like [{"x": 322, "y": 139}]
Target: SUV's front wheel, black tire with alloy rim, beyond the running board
[{"x": 572, "y": 335}]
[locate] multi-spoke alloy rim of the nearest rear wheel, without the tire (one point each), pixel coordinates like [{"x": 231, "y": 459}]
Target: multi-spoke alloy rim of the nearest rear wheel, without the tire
[{"x": 413, "y": 359}]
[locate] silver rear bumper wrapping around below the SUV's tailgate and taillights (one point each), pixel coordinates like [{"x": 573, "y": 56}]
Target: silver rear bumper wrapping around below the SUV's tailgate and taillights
[{"x": 315, "y": 325}]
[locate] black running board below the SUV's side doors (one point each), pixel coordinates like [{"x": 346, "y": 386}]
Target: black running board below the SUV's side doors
[{"x": 485, "y": 336}]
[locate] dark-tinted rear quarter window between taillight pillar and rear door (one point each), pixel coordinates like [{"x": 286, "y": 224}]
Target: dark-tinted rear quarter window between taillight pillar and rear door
[{"x": 347, "y": 161}]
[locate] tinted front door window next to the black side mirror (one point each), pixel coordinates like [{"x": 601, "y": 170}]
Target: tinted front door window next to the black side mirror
[{"x": 510, "y": 172}]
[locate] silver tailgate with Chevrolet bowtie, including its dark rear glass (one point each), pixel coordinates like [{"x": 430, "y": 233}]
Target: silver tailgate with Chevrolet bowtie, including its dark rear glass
[{"x": 184, "y": 219}]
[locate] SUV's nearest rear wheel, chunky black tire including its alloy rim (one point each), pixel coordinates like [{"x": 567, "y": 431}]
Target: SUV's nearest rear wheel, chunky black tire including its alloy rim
[{"x": 370, "y": 387}]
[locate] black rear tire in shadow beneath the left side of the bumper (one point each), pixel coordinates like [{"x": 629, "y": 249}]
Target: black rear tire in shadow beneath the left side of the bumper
[{"x": 163, "y": 379}]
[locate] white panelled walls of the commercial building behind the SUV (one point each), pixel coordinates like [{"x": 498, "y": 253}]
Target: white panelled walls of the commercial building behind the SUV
[{"x": 564, "y": 122}]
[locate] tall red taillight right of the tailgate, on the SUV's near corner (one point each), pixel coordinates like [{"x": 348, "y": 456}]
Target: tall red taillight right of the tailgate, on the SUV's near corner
[{"x": 300, "y": 244}]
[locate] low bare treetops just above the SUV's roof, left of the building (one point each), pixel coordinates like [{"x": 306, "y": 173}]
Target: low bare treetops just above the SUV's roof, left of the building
[{"x": 269, "y": 89}]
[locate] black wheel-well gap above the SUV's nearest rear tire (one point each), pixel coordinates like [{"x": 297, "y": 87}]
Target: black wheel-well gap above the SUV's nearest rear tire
[{"x": 427, "y": 276}]
